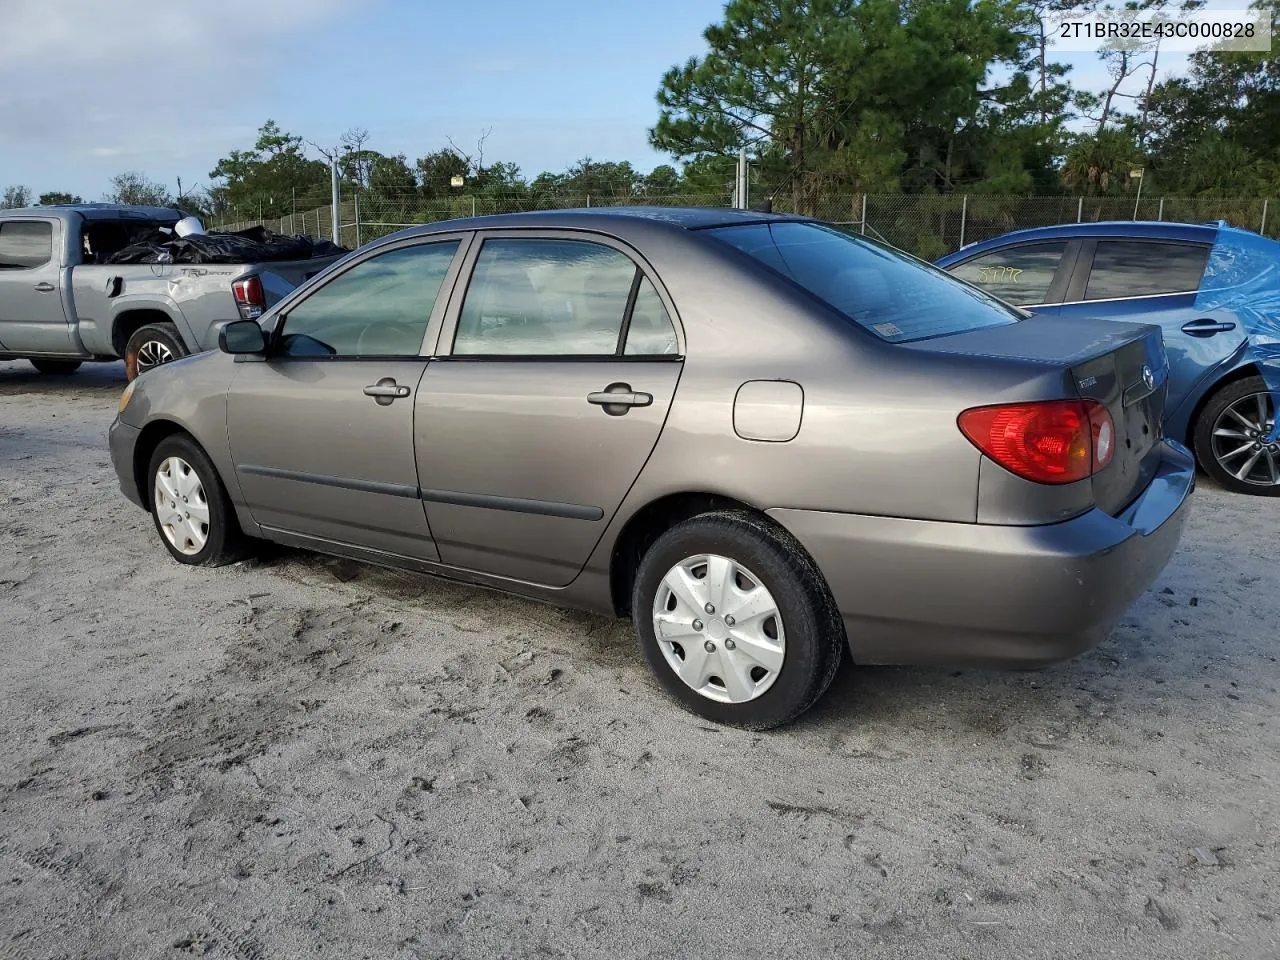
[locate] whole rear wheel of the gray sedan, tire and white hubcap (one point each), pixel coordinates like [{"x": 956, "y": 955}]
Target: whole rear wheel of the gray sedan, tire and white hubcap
[{"x": 737, "y": 621}]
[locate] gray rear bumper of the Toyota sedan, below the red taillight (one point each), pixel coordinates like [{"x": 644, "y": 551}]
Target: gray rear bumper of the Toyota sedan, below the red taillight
[{"x": 924, "y": 592}]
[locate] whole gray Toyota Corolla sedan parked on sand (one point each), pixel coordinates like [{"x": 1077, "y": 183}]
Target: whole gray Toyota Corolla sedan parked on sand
[{"x": 761, "y": 438}]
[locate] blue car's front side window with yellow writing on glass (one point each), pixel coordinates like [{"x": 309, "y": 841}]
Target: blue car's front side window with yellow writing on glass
[{"x": 1032, "y": 276}]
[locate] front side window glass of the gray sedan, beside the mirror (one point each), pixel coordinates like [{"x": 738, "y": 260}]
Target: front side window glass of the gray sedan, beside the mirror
[{"x": 377, "y": 309}]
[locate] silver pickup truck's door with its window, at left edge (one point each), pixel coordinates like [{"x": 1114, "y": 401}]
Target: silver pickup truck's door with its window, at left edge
[{"x": 33, "y": 319}]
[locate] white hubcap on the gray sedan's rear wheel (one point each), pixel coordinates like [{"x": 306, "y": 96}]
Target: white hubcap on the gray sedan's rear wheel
[{"x": 720, "y": 629}]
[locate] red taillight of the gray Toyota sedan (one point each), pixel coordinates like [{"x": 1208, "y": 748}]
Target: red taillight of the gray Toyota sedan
[{"x": 1054, "y": 442}]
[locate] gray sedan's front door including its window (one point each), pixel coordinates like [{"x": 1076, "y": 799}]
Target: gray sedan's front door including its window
[{"x": 322, "y": 429}]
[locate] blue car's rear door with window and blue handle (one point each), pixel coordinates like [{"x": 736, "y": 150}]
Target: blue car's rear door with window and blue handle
[{"x": 1156, "y": 282}]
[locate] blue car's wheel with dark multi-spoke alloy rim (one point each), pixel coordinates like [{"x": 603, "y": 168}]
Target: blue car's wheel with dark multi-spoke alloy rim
[{"x": 1232, "y": 438}]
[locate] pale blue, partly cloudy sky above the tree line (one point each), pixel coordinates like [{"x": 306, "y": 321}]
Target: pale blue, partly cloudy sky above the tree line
[{"x": 93, "y": 88}]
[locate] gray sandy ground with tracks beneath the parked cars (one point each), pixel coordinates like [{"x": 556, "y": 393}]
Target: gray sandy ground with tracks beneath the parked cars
[{"x": 304, "y": 757}]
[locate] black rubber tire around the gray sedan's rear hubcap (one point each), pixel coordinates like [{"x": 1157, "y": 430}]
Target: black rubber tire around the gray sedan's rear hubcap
[{"x": 815, "y": 633}]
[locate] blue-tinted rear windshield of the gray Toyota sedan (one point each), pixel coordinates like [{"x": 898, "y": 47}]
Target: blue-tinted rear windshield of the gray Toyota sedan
[{"x": 890, "y": 294}]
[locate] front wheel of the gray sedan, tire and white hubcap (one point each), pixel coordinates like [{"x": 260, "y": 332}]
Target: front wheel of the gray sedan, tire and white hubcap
[{"x": 190, "y": 506}]
